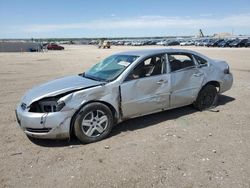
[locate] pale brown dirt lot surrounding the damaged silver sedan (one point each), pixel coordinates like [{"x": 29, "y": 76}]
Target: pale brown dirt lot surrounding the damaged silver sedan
[{"x": 176, "y": 148}]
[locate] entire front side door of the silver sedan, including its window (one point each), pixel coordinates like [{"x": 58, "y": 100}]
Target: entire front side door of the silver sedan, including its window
[{"x": 147, "y": 88}]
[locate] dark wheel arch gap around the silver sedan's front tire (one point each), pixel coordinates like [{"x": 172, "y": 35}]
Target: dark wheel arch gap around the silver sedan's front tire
[{"x": 111, "y": 107}]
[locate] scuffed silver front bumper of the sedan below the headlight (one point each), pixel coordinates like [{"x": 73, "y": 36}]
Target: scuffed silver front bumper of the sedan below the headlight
[{"x": 54, "y": 125}]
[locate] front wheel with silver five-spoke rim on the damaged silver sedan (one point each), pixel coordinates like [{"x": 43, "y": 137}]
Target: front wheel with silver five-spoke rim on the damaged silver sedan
[{"x": 93, "y": 123}]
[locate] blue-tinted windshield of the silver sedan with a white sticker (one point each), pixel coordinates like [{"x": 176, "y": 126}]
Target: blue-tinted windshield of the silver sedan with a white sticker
[{"x": 110, "y": 68}]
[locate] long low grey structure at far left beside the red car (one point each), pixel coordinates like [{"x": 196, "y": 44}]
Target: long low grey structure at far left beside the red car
[{"x": 11, "y": 46}]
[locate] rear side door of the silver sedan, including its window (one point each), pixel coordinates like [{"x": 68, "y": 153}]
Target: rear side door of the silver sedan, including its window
[{"x": 186, "y": 79}]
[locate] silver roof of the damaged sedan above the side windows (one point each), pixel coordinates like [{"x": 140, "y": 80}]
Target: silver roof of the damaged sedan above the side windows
[{"x": 148, "y": 52}]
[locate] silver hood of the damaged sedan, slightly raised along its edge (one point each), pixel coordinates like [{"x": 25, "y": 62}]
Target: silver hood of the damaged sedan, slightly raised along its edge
[{"x": 56, "y": 87}]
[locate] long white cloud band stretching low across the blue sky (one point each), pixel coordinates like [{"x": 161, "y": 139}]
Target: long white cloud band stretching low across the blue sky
[{"x": 144, "y": 22}]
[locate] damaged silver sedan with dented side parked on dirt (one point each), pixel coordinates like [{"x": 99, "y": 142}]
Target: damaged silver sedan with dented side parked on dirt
[{"x": 122, "y": 86}]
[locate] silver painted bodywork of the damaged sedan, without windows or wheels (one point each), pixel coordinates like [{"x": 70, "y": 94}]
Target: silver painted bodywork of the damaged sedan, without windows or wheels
[{"x": 127, "y": 98}]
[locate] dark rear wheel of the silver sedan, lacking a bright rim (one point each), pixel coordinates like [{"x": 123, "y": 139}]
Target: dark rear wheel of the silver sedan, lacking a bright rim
[{"x": 207, "y": 98}]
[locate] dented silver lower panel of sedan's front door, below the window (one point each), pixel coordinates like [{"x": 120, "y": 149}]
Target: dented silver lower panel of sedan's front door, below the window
[{"x": 145, "y": 95}]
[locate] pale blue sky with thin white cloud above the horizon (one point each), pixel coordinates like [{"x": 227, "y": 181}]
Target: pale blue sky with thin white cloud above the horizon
[{"x": 121, "y": 18}]
